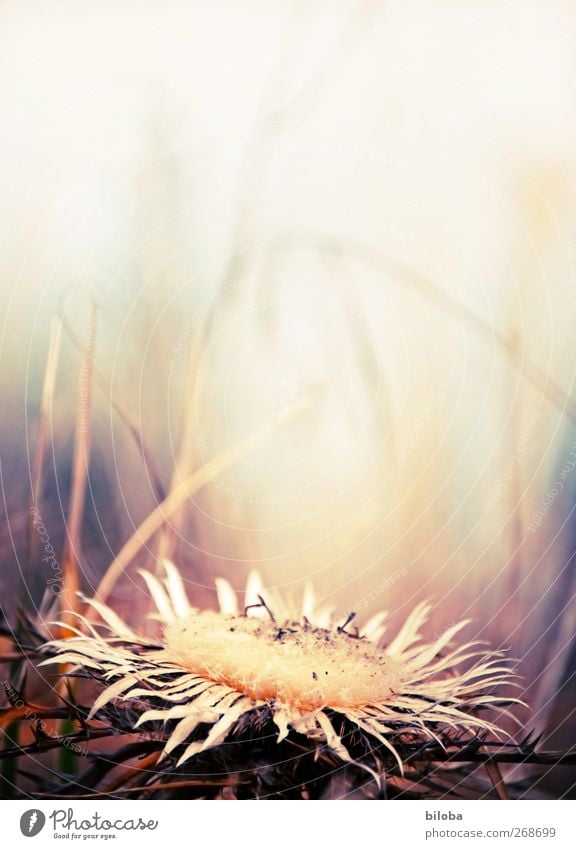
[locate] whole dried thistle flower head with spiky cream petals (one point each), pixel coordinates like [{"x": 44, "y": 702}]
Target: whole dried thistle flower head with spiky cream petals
[{"x": 211, "y": 672}]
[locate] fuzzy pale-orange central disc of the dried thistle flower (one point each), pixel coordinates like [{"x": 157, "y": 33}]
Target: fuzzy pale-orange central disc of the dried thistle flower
[{"x": 299, "y": 665}]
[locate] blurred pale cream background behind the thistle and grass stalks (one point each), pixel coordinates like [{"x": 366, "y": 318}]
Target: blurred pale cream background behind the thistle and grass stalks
[{"x": 374, "y": 198}]
